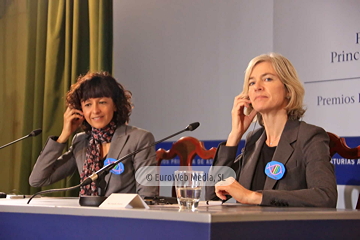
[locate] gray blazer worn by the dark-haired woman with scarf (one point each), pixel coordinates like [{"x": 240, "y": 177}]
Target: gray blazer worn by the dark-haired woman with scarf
[{"x": 52, "y": 166}]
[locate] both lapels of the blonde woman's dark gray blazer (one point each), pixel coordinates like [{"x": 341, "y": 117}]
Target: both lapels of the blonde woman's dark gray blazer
[{"x": 282, "y": 153}]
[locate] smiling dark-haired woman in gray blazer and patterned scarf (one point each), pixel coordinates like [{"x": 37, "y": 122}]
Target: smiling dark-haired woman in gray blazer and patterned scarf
[{"x": 101, "y": 106}]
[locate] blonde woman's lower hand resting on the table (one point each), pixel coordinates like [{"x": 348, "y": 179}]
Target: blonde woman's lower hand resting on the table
[{"x": 231, "y": 187}]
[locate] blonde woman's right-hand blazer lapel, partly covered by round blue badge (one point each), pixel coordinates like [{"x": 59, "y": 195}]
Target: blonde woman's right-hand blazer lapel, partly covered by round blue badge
[{"x": 284, "y": 149}]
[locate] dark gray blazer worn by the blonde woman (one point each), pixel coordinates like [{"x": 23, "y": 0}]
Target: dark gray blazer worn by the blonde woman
[{"x": 309, "y": 179}]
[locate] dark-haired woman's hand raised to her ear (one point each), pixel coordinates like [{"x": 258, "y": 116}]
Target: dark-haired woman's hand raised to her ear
[{"x": 73, "y": 119}]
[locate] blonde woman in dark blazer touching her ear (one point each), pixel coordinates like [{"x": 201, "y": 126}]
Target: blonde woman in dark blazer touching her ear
[{"x": 286, "y": 162}]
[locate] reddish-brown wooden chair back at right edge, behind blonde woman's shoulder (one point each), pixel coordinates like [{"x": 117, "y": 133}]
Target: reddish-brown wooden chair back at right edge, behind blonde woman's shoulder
[{"x": 339, "y": 146}]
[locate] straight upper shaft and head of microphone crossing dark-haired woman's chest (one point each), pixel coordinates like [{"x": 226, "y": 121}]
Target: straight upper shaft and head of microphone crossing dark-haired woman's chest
[{"x": 104, "y": 170}]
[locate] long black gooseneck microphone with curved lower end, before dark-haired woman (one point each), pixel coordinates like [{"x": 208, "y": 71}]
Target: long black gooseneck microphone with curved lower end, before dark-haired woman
[{"x": 105, "y": 170}]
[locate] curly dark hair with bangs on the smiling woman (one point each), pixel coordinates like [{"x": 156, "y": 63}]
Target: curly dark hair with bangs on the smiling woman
[{"x": 96, "y": 85}]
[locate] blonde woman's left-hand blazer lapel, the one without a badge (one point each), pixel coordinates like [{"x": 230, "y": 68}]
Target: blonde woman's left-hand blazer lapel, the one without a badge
[{"x": 247, "y": 172}]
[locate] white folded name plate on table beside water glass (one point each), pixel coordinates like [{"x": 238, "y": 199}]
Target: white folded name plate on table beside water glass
[{"x": 124, "y": 200}]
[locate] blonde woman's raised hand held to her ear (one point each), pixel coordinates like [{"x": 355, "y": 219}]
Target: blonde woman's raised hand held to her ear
[{"x": 240, "y": 121}]
